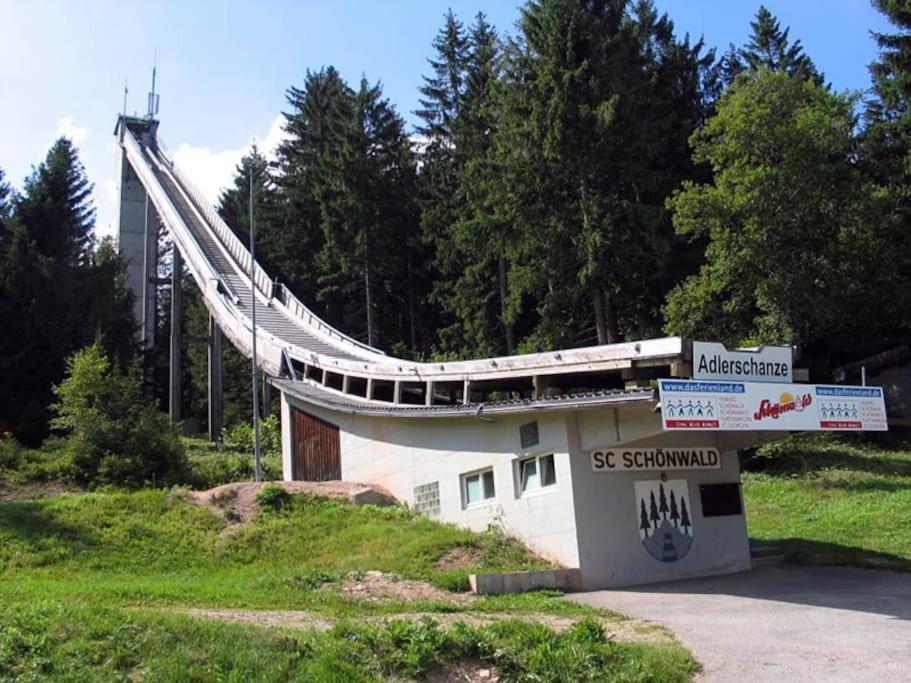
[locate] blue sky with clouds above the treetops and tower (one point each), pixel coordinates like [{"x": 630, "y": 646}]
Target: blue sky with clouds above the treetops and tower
[{"x": 223, "y": 67}]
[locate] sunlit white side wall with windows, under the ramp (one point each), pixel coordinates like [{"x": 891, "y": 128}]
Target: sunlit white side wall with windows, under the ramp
[{"x": 404, "y": 453}]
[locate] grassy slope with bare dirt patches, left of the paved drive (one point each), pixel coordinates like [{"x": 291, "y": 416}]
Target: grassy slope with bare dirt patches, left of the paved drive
[{"x": 83, "y": 580}]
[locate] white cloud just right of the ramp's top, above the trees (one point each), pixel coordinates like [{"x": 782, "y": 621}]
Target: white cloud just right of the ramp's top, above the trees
[{"x": 213, "y": 170}]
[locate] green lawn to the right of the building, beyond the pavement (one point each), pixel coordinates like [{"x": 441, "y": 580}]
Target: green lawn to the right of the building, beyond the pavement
[{"x": 829, "y": 499}]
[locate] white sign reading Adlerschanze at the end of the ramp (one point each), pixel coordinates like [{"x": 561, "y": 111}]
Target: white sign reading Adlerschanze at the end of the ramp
[{"x": 766, "y": 364}]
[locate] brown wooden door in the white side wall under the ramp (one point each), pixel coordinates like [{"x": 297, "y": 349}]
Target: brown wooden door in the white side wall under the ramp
[{"x": 316, "y": 451}]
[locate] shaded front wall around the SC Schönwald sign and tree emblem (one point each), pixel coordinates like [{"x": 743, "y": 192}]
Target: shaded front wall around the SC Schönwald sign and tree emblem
[{"x": 607, "y": 514}]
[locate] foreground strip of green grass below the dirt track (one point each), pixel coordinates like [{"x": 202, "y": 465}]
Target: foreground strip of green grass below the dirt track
[{"x": 66, "y": 643}]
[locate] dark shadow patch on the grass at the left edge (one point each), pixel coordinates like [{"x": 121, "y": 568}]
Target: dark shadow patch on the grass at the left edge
[{"x": 31, "y": 523}]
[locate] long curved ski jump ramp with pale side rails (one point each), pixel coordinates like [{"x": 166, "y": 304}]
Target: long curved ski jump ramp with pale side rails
[{"x": 296, "y": 345}]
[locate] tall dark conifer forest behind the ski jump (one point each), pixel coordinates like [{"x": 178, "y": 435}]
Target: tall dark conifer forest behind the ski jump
[{"x": 586, "y": 177}]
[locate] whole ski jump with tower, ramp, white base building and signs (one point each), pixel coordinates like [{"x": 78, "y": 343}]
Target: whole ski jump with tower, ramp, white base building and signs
[{"x": 570, "y": 450}]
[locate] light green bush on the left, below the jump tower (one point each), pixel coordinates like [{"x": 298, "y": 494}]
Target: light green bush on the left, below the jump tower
[{"x": 115, "y": 435}]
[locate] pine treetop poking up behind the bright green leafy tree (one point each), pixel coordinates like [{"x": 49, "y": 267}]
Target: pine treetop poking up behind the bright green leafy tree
[{"x": 770, "y": 48}]
